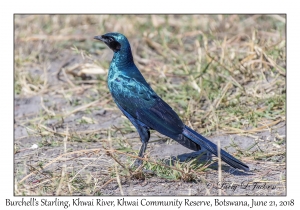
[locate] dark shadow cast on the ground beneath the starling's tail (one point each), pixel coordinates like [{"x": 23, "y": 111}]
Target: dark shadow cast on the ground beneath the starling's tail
[{"x": 202, "y": 157}]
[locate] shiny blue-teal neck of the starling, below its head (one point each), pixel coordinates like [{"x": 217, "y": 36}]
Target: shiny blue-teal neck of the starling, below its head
[{"x": 123, "y": 57}]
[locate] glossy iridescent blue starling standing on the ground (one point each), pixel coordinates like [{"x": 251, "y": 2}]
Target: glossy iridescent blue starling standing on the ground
[{"x": 144, "y": 108}]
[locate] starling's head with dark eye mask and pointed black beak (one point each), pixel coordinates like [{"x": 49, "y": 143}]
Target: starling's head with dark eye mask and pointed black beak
[{"x": 114, "y": 41}]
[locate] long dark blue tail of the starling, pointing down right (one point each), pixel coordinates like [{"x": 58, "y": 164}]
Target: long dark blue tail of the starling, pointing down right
[{"x": 211, "y": 147}]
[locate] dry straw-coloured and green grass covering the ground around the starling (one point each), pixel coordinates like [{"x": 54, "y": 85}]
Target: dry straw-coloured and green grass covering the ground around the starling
[{"x": 223, "y": 74}]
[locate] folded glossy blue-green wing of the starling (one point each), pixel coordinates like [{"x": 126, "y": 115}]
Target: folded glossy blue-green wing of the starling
[{"x": 142, "y": 103}]
